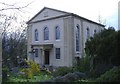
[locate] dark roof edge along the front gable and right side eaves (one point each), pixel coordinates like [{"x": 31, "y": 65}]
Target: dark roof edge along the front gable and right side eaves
[{"x": 67, "y": 14}]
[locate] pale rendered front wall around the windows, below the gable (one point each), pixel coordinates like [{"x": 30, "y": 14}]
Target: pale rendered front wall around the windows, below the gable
[{"x": 51, "y": 24}]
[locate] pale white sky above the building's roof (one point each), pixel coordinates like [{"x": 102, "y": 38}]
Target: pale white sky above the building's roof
[{"x": 90, "y": 9}]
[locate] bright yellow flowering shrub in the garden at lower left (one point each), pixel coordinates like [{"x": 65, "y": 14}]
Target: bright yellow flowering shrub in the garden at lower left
[{"x": 33, "y": 69}]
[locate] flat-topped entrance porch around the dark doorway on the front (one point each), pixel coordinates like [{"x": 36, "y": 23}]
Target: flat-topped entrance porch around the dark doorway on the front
[{"x": 43, "y": 58}]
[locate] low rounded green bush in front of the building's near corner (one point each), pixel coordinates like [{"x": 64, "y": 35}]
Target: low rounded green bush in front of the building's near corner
[{"x": 61, "y": 71}]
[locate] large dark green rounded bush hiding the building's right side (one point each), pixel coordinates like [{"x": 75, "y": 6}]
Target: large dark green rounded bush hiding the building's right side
[{"x": 104, "y": 46}]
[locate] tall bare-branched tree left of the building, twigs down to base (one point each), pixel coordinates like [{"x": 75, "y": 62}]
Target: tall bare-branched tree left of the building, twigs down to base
[{"x": 13, "y": 33}]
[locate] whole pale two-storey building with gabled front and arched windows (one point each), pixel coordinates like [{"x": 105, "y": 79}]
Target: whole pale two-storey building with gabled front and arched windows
[{"x": 57, "y": 38}]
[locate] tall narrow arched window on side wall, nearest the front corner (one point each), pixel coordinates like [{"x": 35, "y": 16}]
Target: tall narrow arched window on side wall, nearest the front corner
[{"x": 77, "y": 38}]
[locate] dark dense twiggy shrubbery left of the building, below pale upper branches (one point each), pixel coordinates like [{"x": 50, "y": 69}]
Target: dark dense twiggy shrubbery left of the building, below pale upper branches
[{"x": 13, "y": 45}]
